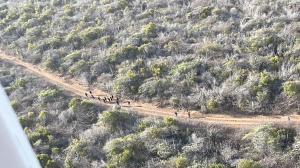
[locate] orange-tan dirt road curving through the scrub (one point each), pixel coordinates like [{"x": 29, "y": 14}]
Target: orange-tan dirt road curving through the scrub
[{"x": 73, "y": 86}]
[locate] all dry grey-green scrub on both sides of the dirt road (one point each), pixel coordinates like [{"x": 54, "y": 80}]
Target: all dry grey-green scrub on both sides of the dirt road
[{"x": 211, "y": 56}]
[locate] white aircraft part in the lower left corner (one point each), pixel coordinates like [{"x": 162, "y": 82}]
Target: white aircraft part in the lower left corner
[{"x": 15, "y": 149}]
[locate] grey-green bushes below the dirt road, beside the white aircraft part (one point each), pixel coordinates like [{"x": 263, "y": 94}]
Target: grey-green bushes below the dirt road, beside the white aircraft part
[{"x": 73, "y": 132}]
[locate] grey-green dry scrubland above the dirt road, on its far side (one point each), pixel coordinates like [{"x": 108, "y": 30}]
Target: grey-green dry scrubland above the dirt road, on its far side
[{"x": 210, "y": 56}]
